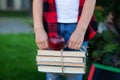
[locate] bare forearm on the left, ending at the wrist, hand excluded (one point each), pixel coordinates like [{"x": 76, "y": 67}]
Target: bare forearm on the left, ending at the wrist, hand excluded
[{"x": 38, "y": 15}]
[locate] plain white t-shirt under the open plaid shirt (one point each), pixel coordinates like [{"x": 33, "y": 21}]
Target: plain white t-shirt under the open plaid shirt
[{"x": 67, "y": 10}]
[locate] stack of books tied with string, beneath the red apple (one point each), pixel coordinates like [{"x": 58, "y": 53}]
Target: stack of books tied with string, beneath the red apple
[{"x": 73, "y": 62}]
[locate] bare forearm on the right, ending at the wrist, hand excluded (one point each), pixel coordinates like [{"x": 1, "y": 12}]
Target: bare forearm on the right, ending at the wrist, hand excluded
[{"x": 86, "y": 15}]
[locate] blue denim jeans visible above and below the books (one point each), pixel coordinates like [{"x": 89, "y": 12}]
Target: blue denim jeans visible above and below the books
[{"x": 65, "y": 30}]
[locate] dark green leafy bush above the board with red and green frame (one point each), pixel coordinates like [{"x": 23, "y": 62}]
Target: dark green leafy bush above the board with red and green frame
[{"x": 105, "y": 49}]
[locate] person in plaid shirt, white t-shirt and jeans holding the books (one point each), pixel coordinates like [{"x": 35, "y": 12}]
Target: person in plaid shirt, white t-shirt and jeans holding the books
[{"x": 71, "y": 19}]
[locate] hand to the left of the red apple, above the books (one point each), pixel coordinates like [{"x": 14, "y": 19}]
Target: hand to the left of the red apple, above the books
[{"x": 41, "y": 39}]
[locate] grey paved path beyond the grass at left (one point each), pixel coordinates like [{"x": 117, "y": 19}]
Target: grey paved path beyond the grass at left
[{"x": 14, "y": 25}]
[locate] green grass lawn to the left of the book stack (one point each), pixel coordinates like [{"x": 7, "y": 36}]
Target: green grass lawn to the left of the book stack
[{"x": 17, "y": 57}]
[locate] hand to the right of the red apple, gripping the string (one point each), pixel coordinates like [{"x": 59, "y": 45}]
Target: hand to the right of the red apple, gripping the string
[{"x": 76, "y": 40}]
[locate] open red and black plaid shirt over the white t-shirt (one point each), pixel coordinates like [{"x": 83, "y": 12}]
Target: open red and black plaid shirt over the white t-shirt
[{"x": 50, "y": 19}]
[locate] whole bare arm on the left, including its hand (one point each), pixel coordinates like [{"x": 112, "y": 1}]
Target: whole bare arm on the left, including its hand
[{"x": 41, "y": 37}]
